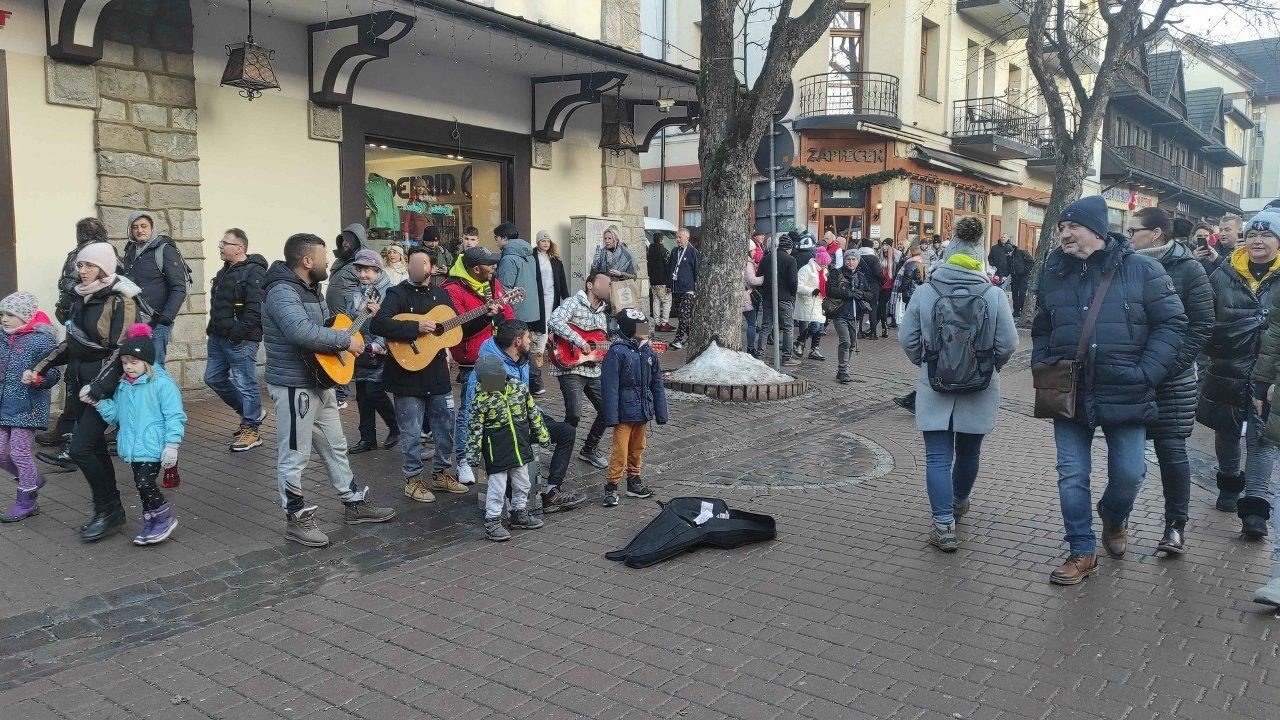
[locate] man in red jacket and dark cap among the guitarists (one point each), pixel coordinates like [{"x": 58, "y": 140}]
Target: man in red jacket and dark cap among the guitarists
[{"x": 472, "y": 285}]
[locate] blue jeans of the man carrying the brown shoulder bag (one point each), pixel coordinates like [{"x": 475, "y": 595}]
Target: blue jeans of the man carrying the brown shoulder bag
[{"x": 1127, "y": 468}]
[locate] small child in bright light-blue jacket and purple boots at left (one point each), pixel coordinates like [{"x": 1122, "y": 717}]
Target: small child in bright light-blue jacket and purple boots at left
[{"x": 148, "y": 408}]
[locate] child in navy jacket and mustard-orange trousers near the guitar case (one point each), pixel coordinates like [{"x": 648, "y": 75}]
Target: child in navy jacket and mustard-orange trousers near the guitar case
[{"x": 632, "y": 384}]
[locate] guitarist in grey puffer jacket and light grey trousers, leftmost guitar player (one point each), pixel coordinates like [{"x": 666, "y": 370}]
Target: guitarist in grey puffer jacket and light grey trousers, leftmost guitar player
[{"x": 294, "y": 316}]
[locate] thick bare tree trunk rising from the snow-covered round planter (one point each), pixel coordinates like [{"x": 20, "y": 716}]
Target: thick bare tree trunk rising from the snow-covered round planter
[{"x": 734, "y": 120}]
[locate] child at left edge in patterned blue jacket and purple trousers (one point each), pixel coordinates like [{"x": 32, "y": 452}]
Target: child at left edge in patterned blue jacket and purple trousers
[{"x": 24, "y": 397}]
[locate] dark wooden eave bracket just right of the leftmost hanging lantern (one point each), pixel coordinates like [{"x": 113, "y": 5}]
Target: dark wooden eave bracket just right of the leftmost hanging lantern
[{"x": 339, "y": 51}]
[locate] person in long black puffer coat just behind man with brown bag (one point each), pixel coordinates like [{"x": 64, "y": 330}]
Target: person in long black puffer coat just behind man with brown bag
[{"x": 1151, "y": 235}]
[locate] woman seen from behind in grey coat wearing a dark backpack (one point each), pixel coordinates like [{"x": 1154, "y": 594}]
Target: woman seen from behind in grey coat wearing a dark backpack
[{"x": 958, "y": 391}]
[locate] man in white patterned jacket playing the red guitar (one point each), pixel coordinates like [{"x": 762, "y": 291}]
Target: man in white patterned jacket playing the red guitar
[{"x": 587, "y": 312}]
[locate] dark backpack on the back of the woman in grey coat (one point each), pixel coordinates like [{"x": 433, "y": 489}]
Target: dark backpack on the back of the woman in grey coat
[{"x": 961, "y": 356}]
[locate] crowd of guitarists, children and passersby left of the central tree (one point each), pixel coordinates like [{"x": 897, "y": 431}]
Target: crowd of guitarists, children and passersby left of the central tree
[{"x": 118, "y": 311}]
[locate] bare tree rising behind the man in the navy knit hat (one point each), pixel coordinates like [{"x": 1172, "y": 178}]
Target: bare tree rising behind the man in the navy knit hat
[{"x": 1077, "y": 113}]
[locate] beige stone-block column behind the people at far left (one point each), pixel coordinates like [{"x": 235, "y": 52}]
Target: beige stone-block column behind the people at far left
[{"x": 145, "y": 136}]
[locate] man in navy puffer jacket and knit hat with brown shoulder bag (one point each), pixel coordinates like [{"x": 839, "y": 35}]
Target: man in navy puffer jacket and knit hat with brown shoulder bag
[{"x": 1133, "y": 350}]
